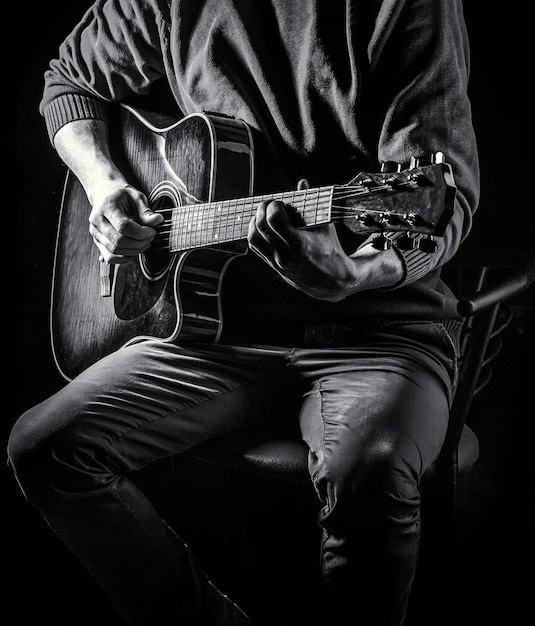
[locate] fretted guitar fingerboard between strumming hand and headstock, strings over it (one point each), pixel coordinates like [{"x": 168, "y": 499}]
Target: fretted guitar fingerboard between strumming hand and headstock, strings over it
[{"x": 225, "y": 221}]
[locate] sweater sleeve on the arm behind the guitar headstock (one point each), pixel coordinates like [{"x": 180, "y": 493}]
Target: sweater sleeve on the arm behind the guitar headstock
[{"x": 419, "y": 71}]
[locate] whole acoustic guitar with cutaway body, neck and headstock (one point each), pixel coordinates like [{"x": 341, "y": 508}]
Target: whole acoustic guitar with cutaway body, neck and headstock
[{"x": 198, "y": 172}]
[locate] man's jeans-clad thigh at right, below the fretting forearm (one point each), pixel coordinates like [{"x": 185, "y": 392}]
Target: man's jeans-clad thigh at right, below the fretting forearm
[{"x": 365, "y": 411}]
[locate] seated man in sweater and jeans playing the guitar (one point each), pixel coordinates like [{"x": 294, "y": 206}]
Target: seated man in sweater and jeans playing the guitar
[{"x": 359, "y": 327}]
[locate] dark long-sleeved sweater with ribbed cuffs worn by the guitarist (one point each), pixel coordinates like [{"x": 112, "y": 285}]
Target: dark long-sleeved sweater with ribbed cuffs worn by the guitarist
[{"x": 335, "y": 86}]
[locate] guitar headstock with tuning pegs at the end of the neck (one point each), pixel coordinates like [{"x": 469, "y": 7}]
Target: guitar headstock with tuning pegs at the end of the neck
[{"x": 418, "y": 198}]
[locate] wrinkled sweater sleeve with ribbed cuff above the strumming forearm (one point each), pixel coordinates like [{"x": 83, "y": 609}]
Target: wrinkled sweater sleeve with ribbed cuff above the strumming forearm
[{"x": 113, "y": 52}]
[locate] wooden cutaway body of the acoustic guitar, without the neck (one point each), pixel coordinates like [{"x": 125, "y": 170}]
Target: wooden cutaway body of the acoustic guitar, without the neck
[{"x": 164, "y": 295}]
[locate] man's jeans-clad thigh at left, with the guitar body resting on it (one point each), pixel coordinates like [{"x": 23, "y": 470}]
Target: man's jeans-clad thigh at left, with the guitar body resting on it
[{"x": 152, "y": 399}]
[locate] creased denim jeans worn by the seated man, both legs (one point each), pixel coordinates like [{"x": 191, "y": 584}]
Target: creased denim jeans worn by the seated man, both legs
[{"x": 374, "y": 411}]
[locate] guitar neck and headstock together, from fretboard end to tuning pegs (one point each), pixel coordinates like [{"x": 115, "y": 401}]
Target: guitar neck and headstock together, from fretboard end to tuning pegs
[{"x": 371, "y": 203}]
